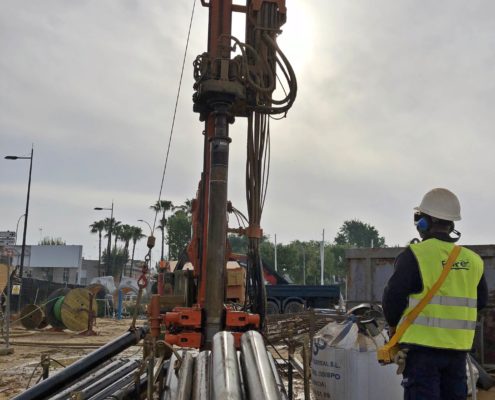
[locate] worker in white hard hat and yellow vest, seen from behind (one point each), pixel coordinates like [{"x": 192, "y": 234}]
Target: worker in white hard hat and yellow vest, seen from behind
[{"x": 434, "y": 347}]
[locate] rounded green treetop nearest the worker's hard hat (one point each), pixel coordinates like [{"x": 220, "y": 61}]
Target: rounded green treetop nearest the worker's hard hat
[{"x": 354, "y": 233}]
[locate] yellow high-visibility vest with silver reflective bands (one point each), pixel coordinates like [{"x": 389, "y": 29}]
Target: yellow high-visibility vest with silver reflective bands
[{"x": 449, "y": 320}]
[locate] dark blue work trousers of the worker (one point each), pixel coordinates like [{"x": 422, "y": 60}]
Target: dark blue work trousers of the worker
[{"x": 435, "y": 374}]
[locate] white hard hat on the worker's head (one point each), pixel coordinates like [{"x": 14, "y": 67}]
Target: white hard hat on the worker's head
[{"x": 442, "y": 204}]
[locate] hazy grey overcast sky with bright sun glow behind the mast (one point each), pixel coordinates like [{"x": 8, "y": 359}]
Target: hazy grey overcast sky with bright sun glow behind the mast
[{"x": 395, "y": 98}]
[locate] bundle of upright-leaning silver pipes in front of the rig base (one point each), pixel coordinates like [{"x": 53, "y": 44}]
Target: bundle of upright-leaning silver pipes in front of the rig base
[{"x": 224, "y": 373}]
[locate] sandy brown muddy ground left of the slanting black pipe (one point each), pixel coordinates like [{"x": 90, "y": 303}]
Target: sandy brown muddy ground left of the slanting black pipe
[{"x": 17, "y": 369}]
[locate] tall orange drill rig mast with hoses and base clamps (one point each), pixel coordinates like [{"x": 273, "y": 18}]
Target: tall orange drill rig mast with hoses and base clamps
[{"x": 225, "y": 88}]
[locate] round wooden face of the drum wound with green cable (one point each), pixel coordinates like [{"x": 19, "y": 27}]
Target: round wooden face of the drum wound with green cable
[{"x": 74, "y": 310}]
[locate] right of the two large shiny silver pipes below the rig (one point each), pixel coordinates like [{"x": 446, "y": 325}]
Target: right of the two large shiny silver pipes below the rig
[{"x": 260, "y": 379}]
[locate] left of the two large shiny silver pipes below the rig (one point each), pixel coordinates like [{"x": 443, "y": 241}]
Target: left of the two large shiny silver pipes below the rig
[{"x": 225, "y": 368}]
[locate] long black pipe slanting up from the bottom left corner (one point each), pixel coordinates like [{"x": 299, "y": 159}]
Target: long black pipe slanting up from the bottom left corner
[{"x": 49, "y": 386}]
